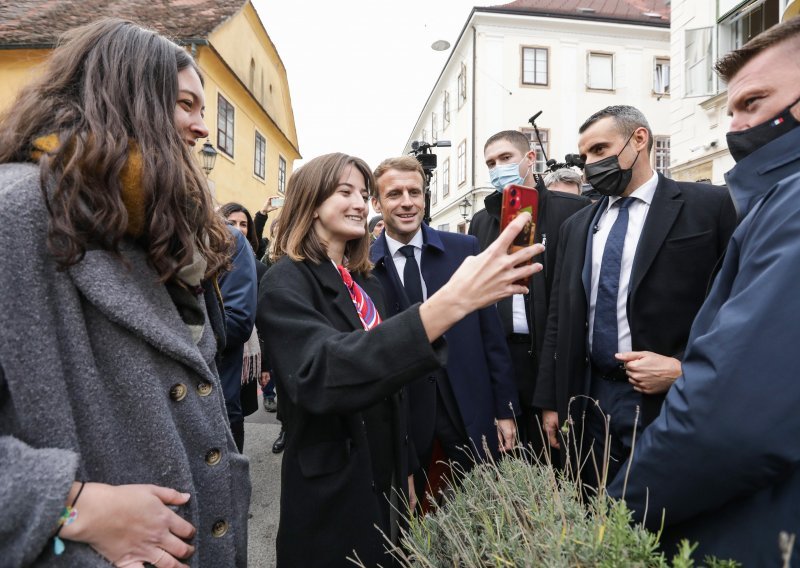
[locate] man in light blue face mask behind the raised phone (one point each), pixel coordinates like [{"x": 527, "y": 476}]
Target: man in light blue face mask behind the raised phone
[{"x": 510, "y": 159}]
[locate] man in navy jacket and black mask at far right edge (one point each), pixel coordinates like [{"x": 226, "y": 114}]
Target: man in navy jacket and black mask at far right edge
[{"x": 722, "y": 460}]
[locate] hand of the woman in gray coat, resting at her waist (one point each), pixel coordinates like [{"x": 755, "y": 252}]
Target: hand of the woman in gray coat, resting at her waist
[{"x": 132, "y": 524}]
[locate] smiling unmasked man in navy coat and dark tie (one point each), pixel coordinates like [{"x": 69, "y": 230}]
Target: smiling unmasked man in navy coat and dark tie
[{"x": 460, "y": 404}]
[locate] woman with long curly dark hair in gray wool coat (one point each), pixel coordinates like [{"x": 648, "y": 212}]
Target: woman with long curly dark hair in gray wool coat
[{"x": 110, "y": 250}]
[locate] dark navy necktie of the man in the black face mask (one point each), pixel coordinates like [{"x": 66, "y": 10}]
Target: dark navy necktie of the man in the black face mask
[{"x": 605, "y": 337}]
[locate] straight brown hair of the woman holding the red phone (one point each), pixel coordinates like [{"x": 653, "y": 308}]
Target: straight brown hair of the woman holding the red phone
[{"x": 309, "y": 186}]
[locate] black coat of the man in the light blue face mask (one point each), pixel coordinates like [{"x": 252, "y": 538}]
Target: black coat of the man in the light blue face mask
[{"x": 555, "y": 207}]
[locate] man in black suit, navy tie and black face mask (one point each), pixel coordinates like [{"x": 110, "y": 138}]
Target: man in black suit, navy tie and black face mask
[{"x": 630, "y": 275}]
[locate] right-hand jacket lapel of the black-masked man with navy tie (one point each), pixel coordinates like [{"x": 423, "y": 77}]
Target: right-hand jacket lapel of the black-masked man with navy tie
[{"x": 663, "y": 212}]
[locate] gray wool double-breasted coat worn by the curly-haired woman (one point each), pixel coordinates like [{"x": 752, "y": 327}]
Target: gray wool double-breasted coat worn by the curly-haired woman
[{"x": 100, "y": 381}]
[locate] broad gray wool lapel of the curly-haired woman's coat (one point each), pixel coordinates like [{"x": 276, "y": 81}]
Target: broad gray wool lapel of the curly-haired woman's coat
[{"x": 134, "y": 299}]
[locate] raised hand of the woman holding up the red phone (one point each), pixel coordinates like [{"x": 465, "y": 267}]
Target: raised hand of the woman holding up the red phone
[{"x": 481, "y": 281}]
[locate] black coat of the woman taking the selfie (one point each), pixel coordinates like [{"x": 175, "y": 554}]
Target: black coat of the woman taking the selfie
[{"x": 342, "y": 398}]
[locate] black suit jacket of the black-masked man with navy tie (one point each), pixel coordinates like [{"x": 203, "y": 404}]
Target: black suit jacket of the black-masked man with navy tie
[{"x": 685, "y": 233}]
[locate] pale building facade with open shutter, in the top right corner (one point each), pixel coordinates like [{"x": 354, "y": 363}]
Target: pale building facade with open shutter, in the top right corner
[{"x": 702, "y": 32}]
